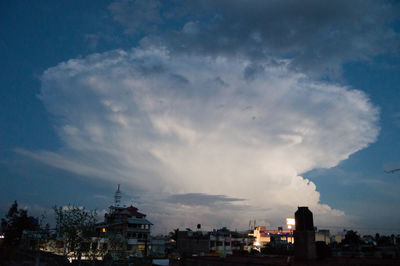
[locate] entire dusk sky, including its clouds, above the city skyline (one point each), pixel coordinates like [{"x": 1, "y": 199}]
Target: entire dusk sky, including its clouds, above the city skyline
[{"x": 60, "y": 144}]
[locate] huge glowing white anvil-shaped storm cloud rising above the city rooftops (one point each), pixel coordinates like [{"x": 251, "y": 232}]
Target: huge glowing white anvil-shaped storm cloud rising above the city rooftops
[{"x": 179, "y": 124}]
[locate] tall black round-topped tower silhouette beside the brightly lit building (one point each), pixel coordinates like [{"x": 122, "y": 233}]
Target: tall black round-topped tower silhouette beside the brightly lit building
[{"x": 304, "y": 235}]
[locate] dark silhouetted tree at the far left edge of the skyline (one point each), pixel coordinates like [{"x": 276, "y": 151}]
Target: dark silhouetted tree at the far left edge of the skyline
[{"x": 15, "y": 222}]
